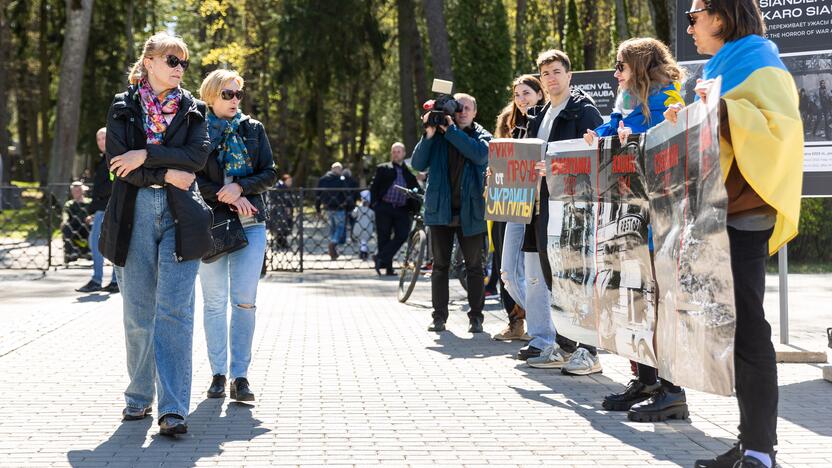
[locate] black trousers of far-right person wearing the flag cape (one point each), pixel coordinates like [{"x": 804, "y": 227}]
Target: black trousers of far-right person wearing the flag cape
[{"x": 754, "y": 359}]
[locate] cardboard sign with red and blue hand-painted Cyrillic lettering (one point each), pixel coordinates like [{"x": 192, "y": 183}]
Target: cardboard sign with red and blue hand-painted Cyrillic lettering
[{"x": 513, "y": 181}]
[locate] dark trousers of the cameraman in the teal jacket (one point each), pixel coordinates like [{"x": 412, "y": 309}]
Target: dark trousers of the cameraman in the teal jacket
[{"x": 442, "y": 240}]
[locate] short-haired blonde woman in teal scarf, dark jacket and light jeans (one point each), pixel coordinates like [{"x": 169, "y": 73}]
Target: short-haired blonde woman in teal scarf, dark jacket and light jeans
[{"x": 239, "y": 170}]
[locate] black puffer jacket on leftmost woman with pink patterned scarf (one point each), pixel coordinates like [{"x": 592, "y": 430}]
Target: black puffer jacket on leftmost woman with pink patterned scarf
[{"x": 185, "y": 147}]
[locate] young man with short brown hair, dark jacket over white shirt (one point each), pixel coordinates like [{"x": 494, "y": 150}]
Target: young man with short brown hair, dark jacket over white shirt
[{"x": 568, "y": 115}]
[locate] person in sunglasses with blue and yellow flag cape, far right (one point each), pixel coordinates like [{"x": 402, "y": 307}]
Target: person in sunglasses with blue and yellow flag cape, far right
[{"x": 761, "y": 154}]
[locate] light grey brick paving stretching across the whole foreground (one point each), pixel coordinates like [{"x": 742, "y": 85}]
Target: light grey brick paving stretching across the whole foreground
[{"x": 347, "y": 376}]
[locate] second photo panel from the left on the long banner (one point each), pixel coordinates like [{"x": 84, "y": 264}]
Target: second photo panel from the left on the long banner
[{"x": 624, "y": 280}]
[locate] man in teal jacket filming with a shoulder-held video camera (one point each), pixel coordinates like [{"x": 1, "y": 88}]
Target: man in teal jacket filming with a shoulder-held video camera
[{"x": 455, "y": 152}]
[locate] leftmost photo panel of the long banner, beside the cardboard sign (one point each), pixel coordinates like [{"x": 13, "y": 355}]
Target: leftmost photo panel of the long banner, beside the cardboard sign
[{"x": 570, "y": 176}]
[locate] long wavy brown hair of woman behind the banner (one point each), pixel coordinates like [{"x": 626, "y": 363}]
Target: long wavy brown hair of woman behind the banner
[{"x": 651, "y": 65}]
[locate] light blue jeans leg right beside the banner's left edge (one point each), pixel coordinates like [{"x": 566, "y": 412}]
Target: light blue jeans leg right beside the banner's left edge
[{"x": 538, "y": 301}]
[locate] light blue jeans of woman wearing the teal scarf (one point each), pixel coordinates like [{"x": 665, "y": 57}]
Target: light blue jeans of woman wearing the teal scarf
[{"x": 239, "y": 273}]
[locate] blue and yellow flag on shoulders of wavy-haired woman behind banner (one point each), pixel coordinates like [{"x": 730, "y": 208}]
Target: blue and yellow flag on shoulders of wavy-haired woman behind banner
[{"x": 658, "y": 102}]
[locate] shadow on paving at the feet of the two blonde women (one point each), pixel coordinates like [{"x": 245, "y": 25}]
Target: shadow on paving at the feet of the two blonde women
[{"x": 207, "y": 432}]
